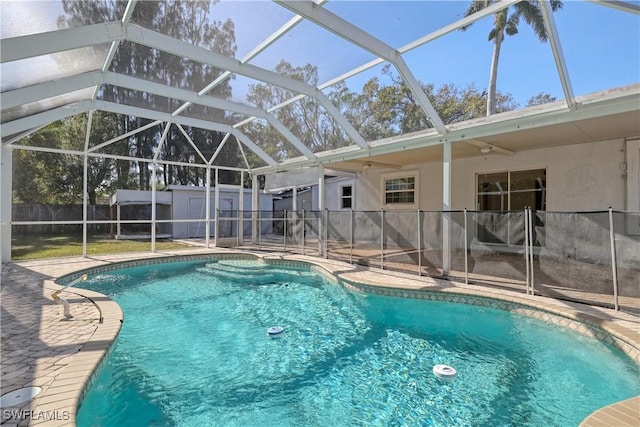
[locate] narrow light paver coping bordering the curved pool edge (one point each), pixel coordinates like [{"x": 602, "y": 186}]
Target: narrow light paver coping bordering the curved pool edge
[{"x": 69, "y": 387}]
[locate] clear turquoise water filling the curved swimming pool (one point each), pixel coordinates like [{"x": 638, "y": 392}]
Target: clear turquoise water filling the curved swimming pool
[{"x": 194, "y": 351}]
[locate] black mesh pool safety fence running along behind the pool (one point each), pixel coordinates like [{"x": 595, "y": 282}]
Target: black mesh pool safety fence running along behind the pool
[{"x": 590, "y": 257}]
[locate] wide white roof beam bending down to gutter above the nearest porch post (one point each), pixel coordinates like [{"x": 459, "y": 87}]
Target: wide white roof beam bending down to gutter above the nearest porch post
[{"x": 331, "y": 22}]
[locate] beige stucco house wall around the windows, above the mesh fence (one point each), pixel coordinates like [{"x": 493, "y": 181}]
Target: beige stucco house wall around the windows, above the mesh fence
[{"x": 580, "y": 177}]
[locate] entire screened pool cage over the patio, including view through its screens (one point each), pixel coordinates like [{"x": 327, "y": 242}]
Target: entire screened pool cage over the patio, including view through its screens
[{"x": 493, "y": 142}]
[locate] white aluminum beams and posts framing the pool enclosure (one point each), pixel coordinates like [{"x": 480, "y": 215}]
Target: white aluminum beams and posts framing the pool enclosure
[{"x": 572, "y": 108}]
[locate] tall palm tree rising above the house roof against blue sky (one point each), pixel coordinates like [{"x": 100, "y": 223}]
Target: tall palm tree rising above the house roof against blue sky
[{"x": 530, "y": 11}]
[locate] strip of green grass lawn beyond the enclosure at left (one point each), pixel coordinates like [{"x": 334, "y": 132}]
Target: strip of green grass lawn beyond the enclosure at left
[{"x": 40, "y": 247}]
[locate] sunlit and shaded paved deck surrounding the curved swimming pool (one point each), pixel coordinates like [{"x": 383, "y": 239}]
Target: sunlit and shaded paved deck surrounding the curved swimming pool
[{"x": 40, "y": 348}]
